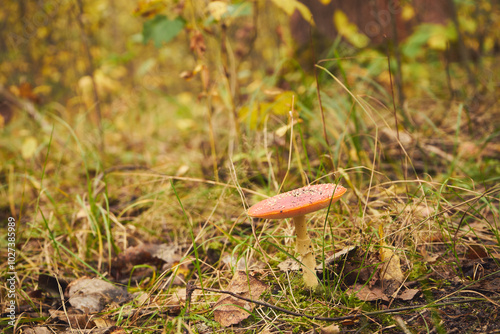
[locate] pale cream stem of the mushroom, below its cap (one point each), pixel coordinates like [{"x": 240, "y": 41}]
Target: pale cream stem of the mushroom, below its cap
[{"x": 304, "y": 247}]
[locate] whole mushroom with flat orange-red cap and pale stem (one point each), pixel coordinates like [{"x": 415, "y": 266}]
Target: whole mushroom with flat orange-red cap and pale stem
[{"x": 296, "y": 204}]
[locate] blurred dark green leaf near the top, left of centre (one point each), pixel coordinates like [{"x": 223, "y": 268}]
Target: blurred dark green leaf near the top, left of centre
[{"x": 162, "y": 30}]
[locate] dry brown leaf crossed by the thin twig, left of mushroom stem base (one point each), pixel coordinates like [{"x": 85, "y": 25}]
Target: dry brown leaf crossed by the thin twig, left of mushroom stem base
[{"x": 231, "y": 311}]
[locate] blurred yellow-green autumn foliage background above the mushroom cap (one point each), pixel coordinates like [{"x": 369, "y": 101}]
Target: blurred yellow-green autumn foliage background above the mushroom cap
[{"x": 194, "y": 88}]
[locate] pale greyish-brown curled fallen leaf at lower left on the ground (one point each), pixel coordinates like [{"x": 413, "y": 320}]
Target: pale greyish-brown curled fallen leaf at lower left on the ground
[{"x": 92, "y": 295}]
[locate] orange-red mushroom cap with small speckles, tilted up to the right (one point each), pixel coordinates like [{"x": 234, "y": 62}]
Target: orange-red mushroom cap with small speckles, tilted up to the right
[{"x": 297, "y": 202}]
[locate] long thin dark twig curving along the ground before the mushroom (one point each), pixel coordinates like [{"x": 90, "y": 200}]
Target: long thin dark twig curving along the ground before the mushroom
[{"x": 346, "y": 317}]
